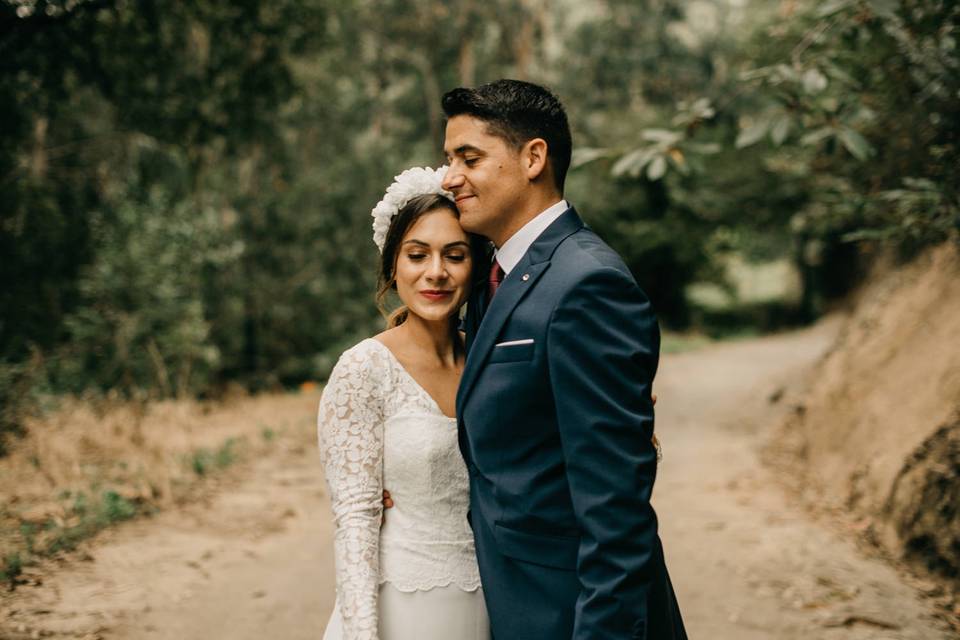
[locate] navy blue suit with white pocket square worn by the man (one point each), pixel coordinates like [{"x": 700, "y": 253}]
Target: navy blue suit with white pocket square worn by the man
[{"x": 556, "y": 432}]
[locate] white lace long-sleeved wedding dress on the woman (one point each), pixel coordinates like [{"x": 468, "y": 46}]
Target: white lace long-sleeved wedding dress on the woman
[{"x": 416, "y": 576}]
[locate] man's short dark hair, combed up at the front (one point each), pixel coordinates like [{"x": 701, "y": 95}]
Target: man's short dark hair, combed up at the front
[{"x": 518, "y": 112}]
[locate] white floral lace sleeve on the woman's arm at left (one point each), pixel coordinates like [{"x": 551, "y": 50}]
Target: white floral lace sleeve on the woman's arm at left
[{"x": 350, "y": 430}]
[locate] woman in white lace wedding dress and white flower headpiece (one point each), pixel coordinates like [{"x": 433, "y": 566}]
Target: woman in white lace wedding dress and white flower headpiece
[{"x": 387, "y": 417}]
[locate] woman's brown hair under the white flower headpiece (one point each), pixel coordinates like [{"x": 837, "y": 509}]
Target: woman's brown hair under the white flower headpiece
[{"x": 399, "y": 225}]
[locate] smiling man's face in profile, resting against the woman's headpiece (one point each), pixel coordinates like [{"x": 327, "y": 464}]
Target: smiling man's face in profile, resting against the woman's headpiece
[{"x": 486, "y": 177}]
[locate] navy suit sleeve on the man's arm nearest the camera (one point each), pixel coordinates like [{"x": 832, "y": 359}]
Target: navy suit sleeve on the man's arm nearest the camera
[{"x": 602, "y": 346}]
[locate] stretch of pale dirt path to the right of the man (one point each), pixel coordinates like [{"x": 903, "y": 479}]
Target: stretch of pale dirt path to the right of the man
[{"x": 746, "y": 562}]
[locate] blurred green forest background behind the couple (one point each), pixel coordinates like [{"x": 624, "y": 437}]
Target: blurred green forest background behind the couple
[{"x": 186, "y": 187}]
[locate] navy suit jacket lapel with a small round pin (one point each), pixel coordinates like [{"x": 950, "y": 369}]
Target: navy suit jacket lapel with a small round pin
[{"x": 513, "y": 289}]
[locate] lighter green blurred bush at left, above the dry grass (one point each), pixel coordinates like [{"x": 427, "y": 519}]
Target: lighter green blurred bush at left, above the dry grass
[{"x": 142, "y": 322}]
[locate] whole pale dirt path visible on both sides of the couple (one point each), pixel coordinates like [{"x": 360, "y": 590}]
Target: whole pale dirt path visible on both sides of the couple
[{"x": 254, "y": 560}]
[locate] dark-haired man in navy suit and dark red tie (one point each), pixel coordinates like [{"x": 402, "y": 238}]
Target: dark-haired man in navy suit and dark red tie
[{"x": 554, "y": 407}]
